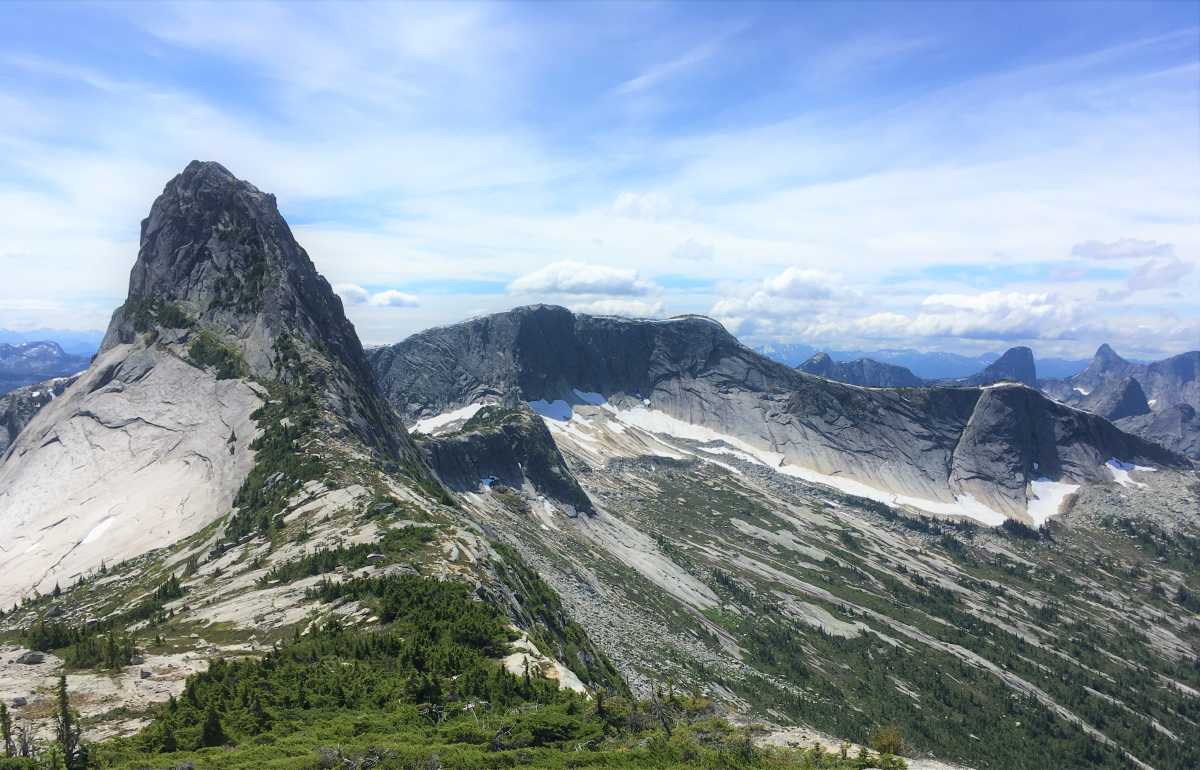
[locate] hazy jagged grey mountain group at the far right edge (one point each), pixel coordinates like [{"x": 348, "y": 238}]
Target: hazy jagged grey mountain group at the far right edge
[{"x": 1111, "y": 387}]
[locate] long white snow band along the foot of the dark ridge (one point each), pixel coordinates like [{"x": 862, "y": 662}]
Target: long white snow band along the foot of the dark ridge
[{"x": 595, "y": 423}]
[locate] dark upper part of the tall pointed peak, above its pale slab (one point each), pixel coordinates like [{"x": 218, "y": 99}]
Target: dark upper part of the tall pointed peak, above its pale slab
[{"x": 218, "y": 257}]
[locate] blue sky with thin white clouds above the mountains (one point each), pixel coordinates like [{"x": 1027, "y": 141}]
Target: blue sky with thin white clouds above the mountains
[{"x": 951, "y": 177}]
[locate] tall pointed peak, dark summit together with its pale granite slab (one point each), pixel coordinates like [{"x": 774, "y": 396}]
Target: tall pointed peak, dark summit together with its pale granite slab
[{"x": 225, "y": 314}]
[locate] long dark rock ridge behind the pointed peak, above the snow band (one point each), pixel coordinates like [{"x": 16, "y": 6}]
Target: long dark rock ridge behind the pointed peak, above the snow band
[{"x": 933, "y": 443}]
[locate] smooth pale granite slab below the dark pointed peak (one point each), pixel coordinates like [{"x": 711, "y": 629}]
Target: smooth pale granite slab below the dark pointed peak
[{"x": 143, "y": 450}]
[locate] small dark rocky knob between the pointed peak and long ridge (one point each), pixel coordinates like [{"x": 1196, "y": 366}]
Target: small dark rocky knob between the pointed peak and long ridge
[{"x": 505, "y": 447}]
